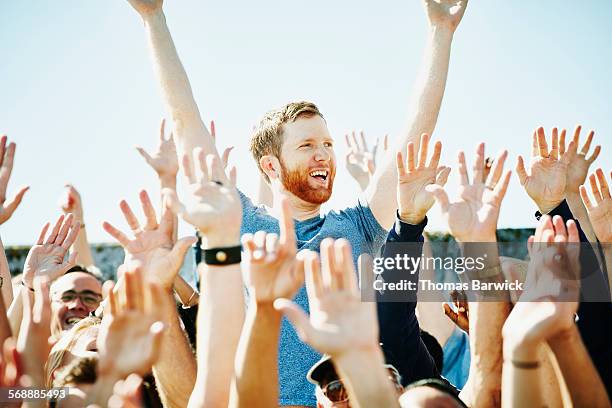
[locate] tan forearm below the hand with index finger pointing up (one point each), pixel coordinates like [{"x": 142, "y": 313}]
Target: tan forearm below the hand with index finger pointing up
[{"x": 256, "y": 358}]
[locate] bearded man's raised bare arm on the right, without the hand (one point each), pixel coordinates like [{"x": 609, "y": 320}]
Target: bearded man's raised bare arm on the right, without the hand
[{"x": 424, "y": 109}]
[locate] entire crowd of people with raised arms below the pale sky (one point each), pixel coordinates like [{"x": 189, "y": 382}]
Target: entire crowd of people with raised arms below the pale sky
[{"x": 281, "y": 315}]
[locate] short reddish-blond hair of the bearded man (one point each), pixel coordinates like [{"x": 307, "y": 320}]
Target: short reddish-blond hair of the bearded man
[{"x": 267, "y": 139}]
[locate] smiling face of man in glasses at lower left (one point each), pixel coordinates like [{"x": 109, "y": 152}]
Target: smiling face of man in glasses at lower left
[{"x": 73, "y": 297}]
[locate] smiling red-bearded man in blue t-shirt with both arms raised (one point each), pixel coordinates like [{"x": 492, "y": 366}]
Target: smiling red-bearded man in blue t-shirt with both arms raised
[{"x": 294, "y": 150}]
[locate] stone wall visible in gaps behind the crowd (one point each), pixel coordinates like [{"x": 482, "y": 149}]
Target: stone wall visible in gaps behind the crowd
[{"x": 109, "y": 257}]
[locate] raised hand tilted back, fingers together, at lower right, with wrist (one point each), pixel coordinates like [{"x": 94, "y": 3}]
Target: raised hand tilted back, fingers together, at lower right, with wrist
[{"x": 550, "y": 300}]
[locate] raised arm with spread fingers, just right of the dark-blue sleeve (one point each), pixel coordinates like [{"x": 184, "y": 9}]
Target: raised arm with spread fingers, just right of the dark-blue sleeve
[{"x": 472, "y": 220}]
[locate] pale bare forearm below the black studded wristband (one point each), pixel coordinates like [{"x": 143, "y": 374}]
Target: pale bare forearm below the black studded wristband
[{"x": 220, "y": 320}]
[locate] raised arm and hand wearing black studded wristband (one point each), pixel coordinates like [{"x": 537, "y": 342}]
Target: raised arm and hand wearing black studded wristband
[{"x": 213, "y": 207}]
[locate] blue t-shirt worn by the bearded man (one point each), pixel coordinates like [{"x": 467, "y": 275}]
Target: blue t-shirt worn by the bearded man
[{"x": 357, "y": 225}]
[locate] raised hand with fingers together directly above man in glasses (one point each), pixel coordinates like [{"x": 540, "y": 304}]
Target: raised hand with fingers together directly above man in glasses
[{"x": 46, "y": 258}]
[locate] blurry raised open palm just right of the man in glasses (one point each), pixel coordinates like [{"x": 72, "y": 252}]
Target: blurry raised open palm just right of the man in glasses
[{"x": 130, "y": 335}]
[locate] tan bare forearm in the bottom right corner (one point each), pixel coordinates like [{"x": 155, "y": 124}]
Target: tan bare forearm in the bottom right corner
[{"x": 584, "y": 383}]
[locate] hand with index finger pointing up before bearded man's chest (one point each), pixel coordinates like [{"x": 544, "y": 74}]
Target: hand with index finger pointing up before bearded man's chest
[{"x": 270, "y": 267}]
